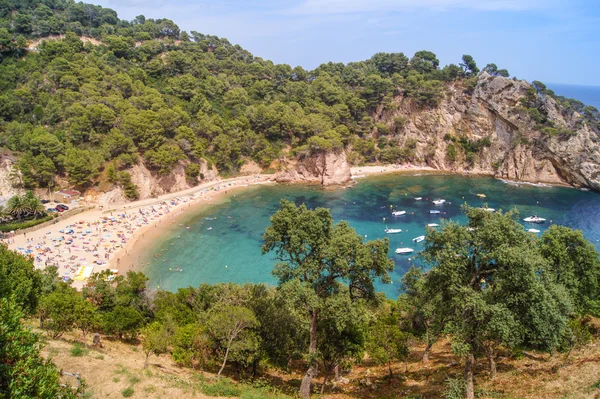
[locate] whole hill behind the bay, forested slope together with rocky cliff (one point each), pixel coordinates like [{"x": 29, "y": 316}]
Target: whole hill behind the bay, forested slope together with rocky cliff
[{"x": 101, "y": 95}]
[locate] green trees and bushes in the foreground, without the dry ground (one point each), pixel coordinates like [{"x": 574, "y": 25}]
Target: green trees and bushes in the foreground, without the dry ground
[{"x": 491, "y": 287}]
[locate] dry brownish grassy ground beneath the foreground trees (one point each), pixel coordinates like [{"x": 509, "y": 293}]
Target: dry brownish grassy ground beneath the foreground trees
[{"x": 113, "y": 370}]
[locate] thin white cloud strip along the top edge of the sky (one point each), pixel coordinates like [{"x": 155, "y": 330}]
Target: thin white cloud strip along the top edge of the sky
[{"x": 355, "y": 6}]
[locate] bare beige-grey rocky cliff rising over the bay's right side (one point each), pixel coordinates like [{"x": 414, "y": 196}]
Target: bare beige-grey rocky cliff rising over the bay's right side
[{"x": 511, "y": 142}]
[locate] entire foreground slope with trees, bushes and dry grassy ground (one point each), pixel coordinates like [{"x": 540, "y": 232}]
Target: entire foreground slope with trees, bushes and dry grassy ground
[{"x": 492, "y": 296}]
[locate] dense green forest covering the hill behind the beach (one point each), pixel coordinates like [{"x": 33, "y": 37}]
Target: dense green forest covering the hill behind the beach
[{"x": 103, "y": 94}]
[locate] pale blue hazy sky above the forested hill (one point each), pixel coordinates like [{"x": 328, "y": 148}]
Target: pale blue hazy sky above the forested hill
[{"x": 554, "y": 41}]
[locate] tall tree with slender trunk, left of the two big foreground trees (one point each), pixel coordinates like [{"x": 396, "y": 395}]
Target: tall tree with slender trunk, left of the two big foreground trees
[{"x": 318, "y": 255}]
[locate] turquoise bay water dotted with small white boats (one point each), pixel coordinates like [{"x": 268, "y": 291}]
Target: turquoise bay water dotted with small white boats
[{"x": 230, "y": 251}]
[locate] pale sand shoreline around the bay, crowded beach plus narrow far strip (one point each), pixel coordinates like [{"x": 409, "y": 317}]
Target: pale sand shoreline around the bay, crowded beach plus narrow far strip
[{"x": 144, "y": 223}]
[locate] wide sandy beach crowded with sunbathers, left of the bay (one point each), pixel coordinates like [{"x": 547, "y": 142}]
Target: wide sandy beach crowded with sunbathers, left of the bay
[{"x": 100, "y": 239}]
